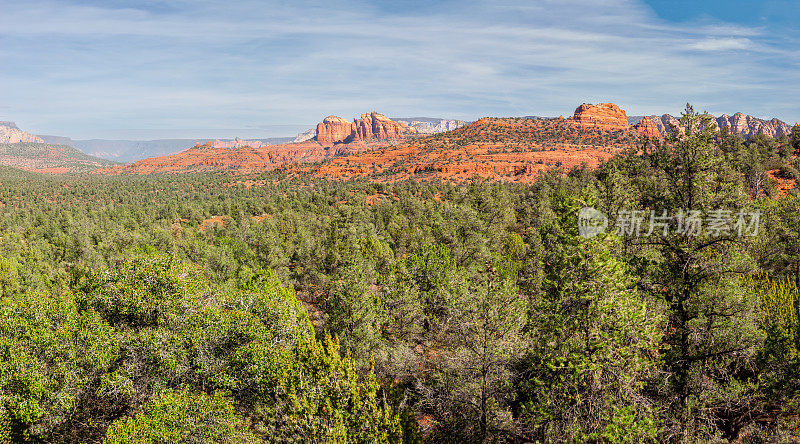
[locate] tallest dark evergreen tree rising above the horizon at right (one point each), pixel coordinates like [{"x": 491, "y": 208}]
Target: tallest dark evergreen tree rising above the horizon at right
[{"x": 711, "y": 337}]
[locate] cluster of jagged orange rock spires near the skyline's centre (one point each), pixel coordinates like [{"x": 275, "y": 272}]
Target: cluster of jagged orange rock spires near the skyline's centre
[{"x": 334, "y": 129}]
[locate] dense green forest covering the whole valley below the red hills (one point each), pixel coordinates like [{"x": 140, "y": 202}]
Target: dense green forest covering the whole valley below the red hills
[{"x": 325, "y": 311}]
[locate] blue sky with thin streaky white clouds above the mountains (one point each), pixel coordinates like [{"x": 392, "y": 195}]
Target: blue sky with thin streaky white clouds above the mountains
[{"x": 207, "y": 68}]
